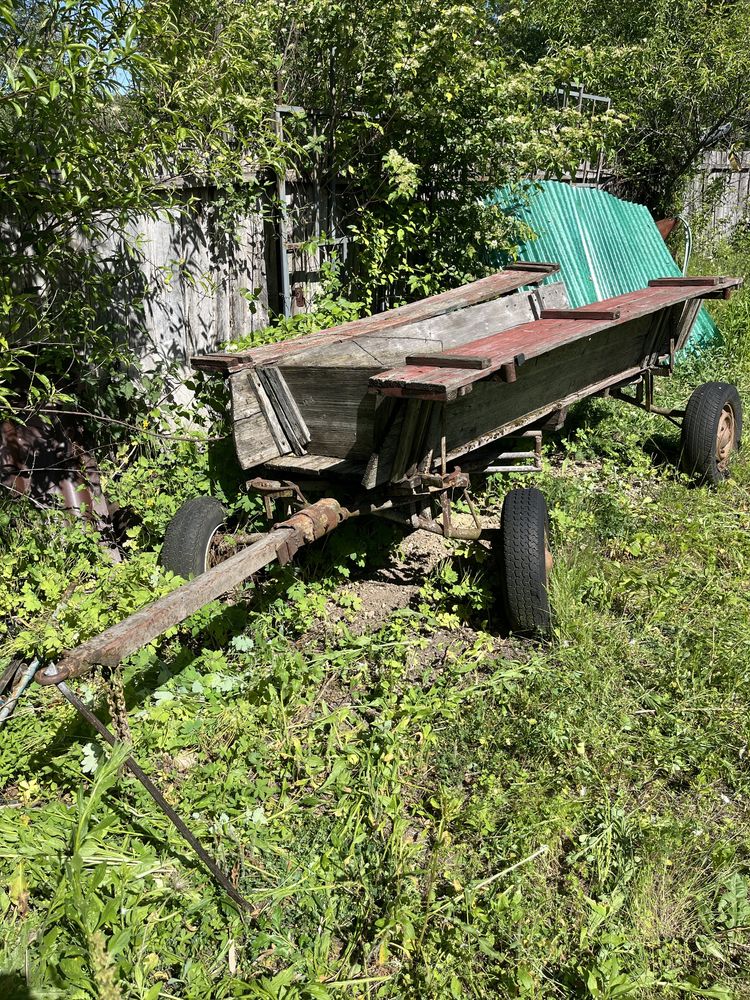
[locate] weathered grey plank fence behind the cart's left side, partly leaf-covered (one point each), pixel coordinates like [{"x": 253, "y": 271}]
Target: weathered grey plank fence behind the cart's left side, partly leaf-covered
[{"x": 185, "y": 283}]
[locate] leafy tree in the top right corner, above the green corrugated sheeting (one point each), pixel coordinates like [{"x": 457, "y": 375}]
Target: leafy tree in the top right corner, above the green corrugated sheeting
[{"x": 677, "y": 69}]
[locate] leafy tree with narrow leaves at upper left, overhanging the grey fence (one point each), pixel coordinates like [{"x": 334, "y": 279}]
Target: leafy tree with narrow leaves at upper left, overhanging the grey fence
[{"x": 96, "y": 120}]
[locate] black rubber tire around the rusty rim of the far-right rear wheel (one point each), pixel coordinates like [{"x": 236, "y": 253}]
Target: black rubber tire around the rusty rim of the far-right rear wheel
[{"x": 699, "y": 428}]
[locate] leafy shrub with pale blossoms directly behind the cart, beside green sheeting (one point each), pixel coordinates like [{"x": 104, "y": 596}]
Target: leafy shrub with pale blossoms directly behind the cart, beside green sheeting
[{"x": 421, "y": 109}]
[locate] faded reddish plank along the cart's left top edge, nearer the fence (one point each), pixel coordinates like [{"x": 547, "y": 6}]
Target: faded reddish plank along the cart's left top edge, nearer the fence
[{"x": 472, "y": 294}]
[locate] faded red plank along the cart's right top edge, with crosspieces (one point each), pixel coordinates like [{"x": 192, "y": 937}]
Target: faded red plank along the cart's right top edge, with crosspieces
[{"x": 533, "y": 339}]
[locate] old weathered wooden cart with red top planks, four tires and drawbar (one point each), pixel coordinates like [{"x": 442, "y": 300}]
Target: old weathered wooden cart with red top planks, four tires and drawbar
[{"x": 391, "y": 415}]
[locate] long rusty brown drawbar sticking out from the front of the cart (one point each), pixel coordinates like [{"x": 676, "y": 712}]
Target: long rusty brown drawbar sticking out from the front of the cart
[{"x": 119, "y": 641}]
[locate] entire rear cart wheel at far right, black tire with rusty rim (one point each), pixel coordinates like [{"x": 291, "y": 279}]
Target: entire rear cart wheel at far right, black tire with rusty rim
[{"x": 711, "y": 431}]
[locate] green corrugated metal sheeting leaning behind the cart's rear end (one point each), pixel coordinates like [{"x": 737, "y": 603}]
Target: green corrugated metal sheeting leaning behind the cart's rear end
[{"x": 604, "y": 246}]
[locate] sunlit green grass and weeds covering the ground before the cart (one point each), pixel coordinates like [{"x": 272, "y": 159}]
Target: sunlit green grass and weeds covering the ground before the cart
[{"x": 424, "y": 808}]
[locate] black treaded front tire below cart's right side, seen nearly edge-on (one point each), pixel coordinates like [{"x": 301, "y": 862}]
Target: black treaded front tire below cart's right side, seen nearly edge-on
[{"x": 522, "y": 562}]
